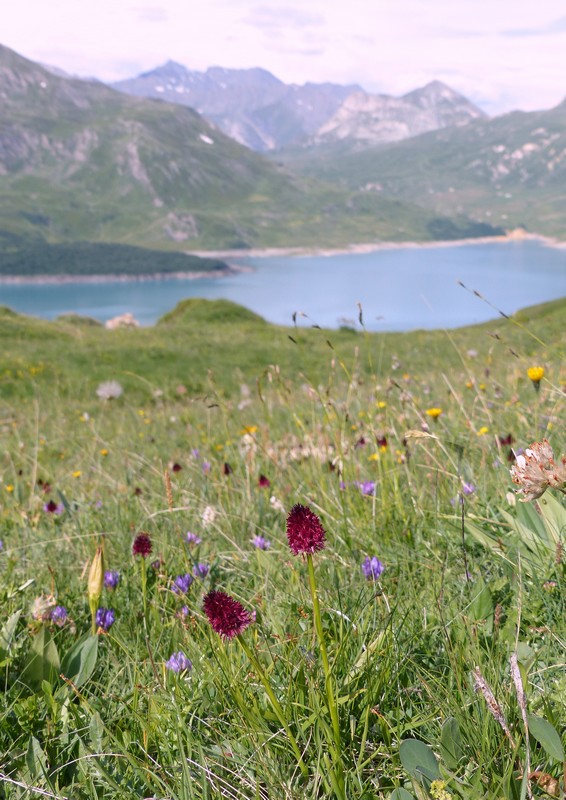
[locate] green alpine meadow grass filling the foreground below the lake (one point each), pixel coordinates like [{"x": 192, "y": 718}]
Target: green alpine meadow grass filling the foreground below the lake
[{"x": 213, "y": 399}]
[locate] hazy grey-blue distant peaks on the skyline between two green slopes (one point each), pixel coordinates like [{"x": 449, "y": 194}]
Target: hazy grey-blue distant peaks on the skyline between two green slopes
[{"x": 258, "y": 110}]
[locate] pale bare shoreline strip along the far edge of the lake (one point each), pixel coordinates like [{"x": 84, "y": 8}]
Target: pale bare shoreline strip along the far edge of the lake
[{"x": 232, "y": 269}]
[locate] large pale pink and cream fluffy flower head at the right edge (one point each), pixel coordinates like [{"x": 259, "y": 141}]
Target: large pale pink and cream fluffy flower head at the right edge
[{"x": 535, "y": 471}]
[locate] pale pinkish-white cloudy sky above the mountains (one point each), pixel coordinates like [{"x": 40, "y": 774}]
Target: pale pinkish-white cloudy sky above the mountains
[{"x": 501, "y": 54}]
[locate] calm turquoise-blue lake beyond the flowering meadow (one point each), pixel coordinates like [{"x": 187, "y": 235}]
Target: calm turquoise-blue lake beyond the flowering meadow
[{"x": 399, "y": 289}]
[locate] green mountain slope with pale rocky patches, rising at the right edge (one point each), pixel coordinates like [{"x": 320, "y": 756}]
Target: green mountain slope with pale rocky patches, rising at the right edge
[{"x": 509, "y": 171}]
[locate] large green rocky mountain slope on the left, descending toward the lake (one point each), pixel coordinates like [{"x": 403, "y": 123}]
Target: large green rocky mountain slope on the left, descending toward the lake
[{"x": 82, "y": 162}]
